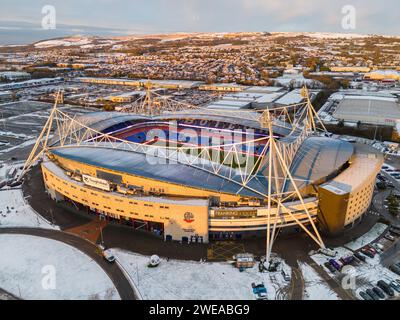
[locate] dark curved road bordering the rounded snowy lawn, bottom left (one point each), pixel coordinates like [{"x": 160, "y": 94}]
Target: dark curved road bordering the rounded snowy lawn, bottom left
[{"x": 118, "y": 278}]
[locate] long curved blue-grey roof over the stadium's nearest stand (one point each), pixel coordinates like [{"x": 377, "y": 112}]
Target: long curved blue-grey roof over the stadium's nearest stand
[{"x": 149, "y": 166}]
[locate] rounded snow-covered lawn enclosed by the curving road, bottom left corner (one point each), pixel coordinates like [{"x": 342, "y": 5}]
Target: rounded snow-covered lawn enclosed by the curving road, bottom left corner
[{"x": 26, "y": 262}]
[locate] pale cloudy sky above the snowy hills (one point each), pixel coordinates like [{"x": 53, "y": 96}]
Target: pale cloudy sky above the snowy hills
[{"x": 165, "y": 16}]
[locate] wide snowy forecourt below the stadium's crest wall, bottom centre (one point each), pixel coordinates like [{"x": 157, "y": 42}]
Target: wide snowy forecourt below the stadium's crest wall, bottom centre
[{"x": 193, "y": 280}]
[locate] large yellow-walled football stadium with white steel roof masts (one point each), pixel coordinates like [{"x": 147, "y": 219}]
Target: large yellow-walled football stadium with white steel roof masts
[{"x": 197, "y": 175}]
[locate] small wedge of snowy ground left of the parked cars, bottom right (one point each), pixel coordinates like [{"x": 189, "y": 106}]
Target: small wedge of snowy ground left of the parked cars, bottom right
[{"x": 315, "y": 288}]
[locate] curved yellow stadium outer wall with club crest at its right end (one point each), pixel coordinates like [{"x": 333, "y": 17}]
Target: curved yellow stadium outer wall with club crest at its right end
[{"x": 180, "y": 219}]
